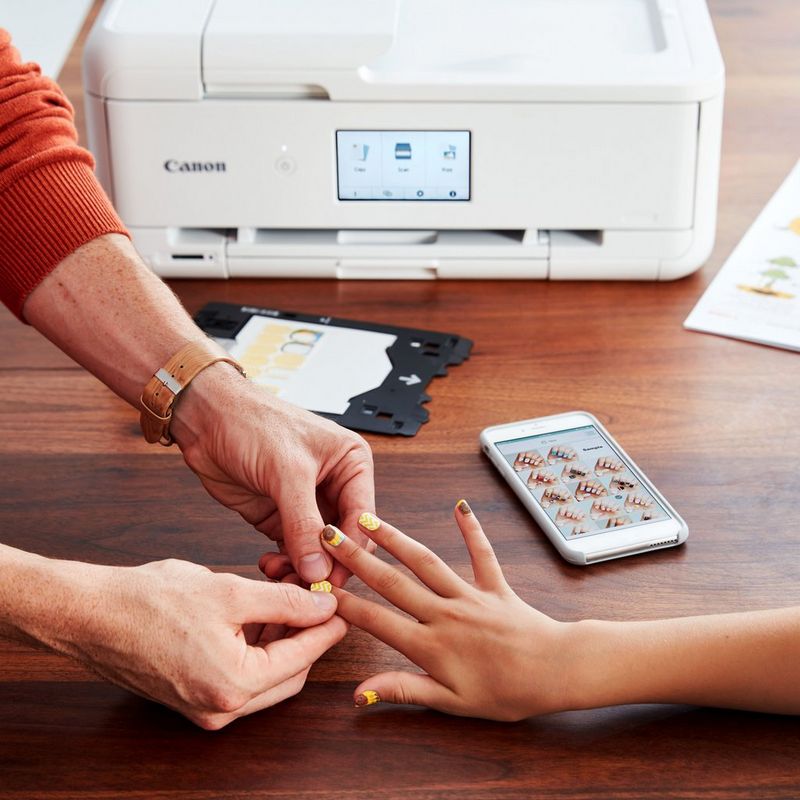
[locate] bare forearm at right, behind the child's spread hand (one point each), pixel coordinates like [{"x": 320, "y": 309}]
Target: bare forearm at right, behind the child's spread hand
[{"x": 747, "y": 661}]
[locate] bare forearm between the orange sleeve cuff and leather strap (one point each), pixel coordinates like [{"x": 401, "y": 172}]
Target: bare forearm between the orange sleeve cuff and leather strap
[{"x": 106, "y": 310}]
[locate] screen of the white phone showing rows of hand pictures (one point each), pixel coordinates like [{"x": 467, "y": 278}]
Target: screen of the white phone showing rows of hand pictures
[{"x": 581, "y": 482}]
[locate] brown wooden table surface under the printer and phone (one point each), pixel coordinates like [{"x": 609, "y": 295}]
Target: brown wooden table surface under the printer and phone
[{"x": 713, "y": 422}]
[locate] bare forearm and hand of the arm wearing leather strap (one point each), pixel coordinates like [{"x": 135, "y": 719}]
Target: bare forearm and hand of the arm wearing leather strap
[{"x": 285, "y": 470}]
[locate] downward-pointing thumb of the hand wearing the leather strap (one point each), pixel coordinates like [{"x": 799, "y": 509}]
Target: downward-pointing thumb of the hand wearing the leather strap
[{"x": 301, "y": 524}]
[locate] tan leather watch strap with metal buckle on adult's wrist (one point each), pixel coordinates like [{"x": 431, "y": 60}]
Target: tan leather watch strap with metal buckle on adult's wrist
[{"x": 162, "y": 390}]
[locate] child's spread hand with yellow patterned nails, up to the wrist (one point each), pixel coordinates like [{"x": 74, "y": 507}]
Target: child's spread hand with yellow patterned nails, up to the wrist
[{"x": 486, "y": 652}]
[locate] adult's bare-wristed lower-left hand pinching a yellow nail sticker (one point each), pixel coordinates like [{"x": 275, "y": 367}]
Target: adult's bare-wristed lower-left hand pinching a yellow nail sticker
[{"x": 196, "y": 641}]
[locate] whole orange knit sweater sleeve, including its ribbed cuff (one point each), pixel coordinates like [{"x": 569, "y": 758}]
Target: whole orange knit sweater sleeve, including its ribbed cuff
[{"x": 50, "y": 200}]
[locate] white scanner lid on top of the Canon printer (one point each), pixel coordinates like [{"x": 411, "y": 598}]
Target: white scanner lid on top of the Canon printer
[{"x": 407, "y": 50}]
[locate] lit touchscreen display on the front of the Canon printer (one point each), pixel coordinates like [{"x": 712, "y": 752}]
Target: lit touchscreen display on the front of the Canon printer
[{"x": 403, "y": 165}]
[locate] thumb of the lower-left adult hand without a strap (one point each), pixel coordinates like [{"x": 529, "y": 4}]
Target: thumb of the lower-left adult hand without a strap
[{"x": 282, "y": 603}]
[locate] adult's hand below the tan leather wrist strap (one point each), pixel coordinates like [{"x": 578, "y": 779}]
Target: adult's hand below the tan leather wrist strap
[{"x": 285, "y": 470}]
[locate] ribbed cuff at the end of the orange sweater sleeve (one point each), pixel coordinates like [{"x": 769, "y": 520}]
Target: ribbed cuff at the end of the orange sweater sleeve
[{"x": 44, "y": 216}]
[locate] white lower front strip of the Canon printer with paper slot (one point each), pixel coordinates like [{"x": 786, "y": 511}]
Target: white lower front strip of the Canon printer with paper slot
[{"x": 409, "y": 254}]
